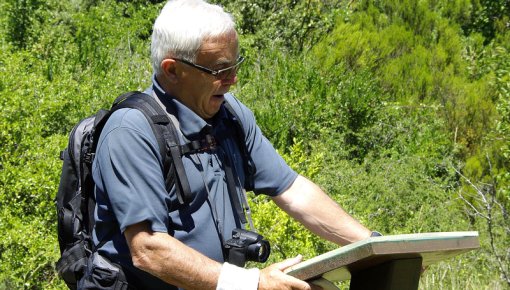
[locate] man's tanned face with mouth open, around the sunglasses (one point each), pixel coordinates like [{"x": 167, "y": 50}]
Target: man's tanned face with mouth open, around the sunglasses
[{"x": 201, "y": 91}]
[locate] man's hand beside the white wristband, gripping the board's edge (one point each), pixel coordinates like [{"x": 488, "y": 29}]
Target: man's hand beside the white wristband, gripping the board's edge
[{"x": 273, "y": 277}]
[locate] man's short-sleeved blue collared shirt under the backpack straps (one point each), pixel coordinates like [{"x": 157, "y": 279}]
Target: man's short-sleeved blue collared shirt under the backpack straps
[{"x": 130, "y": 186}]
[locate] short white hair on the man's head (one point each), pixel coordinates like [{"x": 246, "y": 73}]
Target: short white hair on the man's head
[{"x": 183, "y": 25}]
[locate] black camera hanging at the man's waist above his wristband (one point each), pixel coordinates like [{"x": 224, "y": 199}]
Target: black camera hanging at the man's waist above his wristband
[{"x": 246, "y": 246}]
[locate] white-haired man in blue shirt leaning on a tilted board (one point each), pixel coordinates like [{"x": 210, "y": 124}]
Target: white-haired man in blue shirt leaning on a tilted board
[{"x": 160, "y": 244}]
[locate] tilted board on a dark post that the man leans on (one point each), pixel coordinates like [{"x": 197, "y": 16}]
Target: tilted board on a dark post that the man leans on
[{"x": 392, "y": 262}]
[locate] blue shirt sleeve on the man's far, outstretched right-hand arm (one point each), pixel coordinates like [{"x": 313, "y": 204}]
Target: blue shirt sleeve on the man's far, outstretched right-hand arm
[{"x": 273, "y": 176}]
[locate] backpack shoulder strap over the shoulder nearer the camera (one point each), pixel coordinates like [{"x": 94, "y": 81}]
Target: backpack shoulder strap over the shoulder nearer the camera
[{"x": 167, "y": 137}]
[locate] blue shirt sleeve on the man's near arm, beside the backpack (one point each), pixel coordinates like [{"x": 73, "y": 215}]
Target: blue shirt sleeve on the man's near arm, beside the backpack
[{"x": 129, "y": 170}]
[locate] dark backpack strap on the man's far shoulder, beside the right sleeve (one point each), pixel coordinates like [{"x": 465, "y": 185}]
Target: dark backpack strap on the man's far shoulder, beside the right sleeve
[{"x": 249, "y": 165}]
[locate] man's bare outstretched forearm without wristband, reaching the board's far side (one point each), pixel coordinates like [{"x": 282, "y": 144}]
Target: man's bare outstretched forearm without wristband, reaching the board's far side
[{"x": 308, "y": 204}]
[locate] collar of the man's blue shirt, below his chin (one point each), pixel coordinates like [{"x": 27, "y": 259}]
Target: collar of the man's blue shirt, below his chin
[{"x": 191, "y": 125}]
